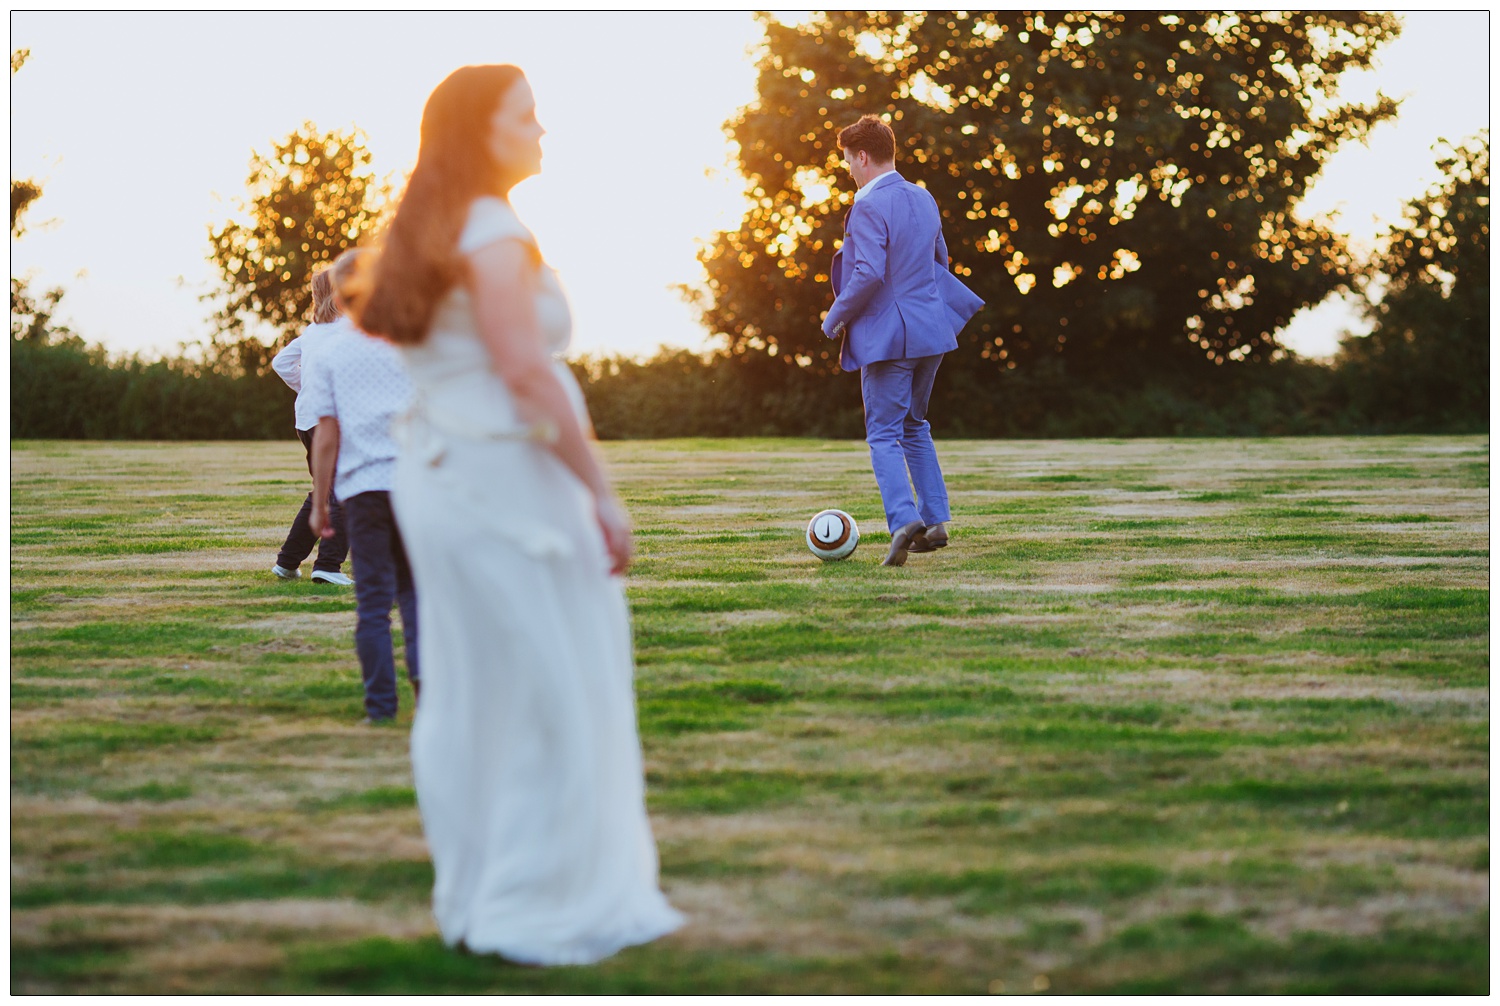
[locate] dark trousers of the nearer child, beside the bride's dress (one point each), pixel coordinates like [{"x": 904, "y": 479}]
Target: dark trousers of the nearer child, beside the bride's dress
[{"x": 382, "y": 579}]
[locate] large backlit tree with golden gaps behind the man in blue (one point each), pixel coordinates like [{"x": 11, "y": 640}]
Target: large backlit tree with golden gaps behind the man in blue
[{"x": 1120, "y": 188}]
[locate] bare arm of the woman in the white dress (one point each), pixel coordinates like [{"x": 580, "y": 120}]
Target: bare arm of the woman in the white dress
[{"x": 503, "y": 286}]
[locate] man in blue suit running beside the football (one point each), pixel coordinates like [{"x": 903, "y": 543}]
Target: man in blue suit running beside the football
[{"x": 899, "y": 311}]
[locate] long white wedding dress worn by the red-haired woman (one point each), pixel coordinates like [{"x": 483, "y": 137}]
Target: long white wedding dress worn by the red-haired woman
[{"x": 524, "y": 750}]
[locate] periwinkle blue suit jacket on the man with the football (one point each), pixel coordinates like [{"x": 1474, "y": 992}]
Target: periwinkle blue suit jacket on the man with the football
[{"x": 895, "y": 298}]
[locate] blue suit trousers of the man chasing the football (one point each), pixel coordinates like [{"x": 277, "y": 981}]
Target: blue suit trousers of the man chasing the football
[{"x": 902, "y": 452}]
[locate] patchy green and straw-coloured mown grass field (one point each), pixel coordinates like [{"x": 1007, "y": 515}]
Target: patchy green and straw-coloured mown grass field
[{"x": 1169, "y": 716}]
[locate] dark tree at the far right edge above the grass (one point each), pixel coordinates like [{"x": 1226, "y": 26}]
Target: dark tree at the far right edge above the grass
[{"x": 1426, "y": 365}]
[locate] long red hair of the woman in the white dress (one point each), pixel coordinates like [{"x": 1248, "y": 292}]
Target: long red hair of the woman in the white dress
[{"x": 394, "y": 295}]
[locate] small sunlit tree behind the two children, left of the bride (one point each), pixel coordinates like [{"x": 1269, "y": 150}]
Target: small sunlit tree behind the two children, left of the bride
[{"x": 313, "y": 197}]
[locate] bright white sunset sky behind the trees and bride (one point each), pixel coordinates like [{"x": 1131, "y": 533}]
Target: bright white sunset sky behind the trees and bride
[{"x": 140, "y": 128}]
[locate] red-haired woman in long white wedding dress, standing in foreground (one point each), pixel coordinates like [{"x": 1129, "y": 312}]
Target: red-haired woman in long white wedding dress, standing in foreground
[{"x": 524, "y": 750}]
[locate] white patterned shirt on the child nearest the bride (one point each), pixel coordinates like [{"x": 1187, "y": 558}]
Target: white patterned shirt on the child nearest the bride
[{"x": 362, "y": 383}]
